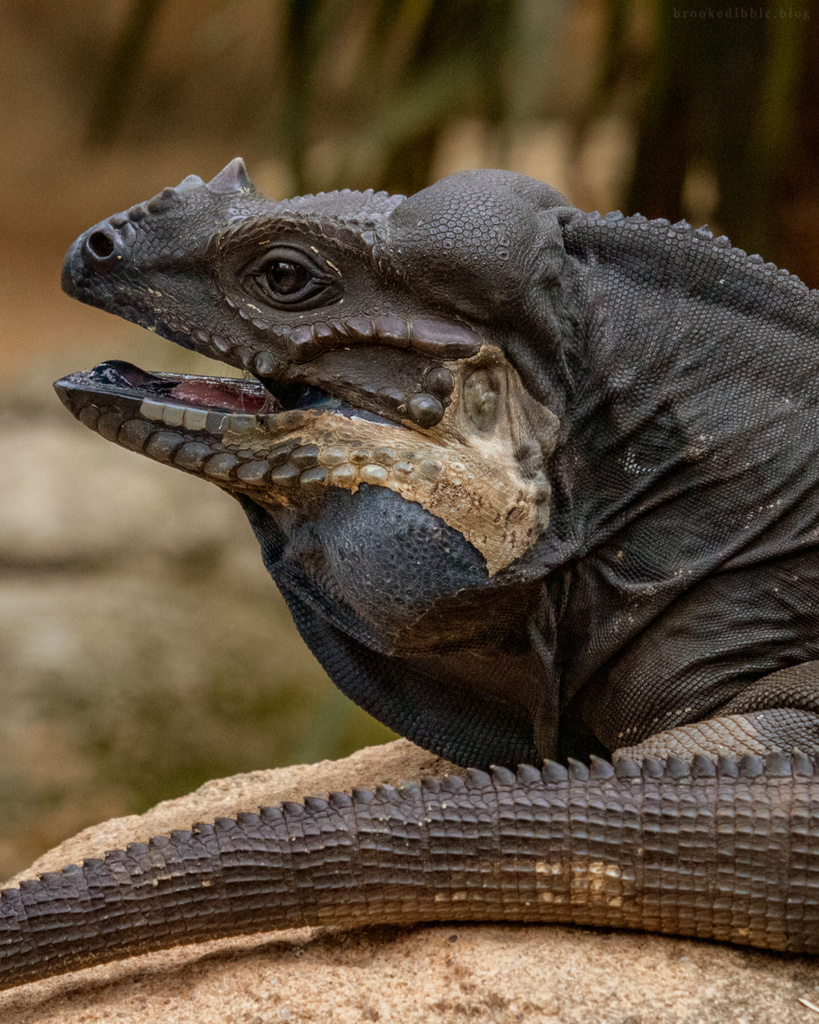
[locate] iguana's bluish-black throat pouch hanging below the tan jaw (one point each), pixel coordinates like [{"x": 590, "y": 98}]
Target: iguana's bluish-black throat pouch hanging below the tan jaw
[{"x": 416, "y": 600}]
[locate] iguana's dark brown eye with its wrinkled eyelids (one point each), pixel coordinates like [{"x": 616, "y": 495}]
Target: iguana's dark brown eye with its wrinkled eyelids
[{"x": 286, "y": 277}]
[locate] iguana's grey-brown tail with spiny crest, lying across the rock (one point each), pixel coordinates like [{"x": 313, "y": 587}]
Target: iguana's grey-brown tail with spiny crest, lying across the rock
[{"x": 722, "y": 852}]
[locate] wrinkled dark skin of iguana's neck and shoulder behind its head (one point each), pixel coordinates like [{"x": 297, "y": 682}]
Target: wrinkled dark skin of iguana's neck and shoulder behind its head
[{"x": 683, "y": 524}]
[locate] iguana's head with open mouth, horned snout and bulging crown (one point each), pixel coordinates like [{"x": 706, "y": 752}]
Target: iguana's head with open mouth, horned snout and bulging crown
[{"x": 372, "y": 329}]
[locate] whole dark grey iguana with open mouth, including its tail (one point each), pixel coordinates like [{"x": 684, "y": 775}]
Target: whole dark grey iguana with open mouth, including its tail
[{"x": 535, "y": 484}]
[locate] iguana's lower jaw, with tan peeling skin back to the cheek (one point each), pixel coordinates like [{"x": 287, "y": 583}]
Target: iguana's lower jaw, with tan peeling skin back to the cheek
[{"x": 288, "y": 459}]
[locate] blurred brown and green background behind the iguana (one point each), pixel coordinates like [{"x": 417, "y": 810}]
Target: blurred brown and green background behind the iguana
[{"x": 143, "y": 648}]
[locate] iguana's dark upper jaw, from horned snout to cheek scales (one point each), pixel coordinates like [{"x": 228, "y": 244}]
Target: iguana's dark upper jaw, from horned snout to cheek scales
[{"x": 391, "y": 364}]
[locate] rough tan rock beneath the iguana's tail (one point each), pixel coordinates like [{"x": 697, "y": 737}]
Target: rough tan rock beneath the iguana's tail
[{"x": 451, "y": 973}]
